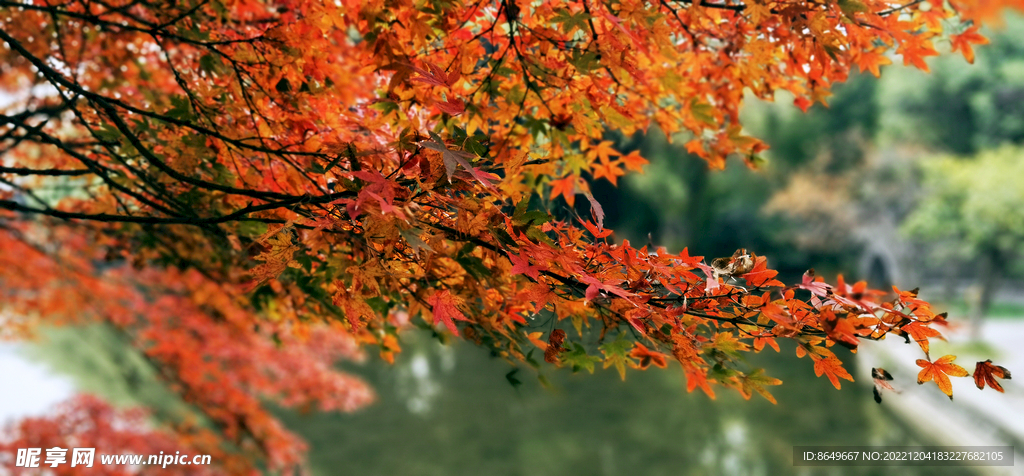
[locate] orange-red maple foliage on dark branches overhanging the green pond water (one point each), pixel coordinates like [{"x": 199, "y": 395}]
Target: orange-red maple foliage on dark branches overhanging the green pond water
[{"x": 250, "y": 190}]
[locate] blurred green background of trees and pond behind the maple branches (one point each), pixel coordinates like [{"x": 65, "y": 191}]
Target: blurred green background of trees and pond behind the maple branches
[{"x": 915, "y": 180}]
